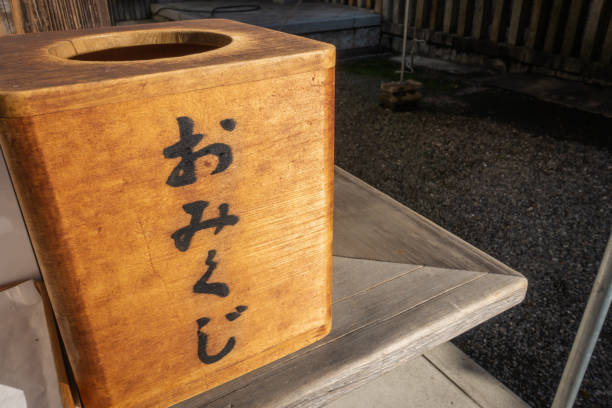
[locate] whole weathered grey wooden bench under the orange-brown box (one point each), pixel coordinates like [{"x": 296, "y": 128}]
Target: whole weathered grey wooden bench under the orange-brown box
[{"x": 402, "y": 285}]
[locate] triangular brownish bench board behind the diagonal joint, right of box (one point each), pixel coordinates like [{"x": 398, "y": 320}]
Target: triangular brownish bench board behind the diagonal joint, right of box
[{"x": 371, "y": 225}]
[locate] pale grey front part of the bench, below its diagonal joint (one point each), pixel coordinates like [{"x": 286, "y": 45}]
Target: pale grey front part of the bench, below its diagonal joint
[{"x": 409, "y": 310}]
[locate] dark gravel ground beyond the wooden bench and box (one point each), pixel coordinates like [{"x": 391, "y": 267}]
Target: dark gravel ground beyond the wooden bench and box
[{"x": 526, "y": 181}]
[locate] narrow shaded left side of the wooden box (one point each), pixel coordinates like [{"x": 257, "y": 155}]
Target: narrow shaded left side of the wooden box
[{"x": 36, "y": 195}]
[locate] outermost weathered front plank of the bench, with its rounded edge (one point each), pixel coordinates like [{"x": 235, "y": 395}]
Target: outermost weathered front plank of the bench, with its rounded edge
[{"x": 339, "y": 363}]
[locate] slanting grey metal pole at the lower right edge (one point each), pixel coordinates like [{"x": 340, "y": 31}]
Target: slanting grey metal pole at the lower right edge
[{"x": 588, "y": 332}]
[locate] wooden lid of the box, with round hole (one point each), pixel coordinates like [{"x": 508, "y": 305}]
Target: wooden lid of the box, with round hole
[{"x": 50, "y": 72}]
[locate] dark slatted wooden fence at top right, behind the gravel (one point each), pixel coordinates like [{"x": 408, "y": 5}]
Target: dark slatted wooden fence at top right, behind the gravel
[{"x": 568, "y": 36}]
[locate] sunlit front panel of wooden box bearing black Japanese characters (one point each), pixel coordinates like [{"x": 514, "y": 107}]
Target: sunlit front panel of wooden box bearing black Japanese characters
[{"x": 198, "y": 227}]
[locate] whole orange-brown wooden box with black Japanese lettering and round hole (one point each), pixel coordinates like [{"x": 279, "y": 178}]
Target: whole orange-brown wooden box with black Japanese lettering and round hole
[{"x": 176, "y": 181}]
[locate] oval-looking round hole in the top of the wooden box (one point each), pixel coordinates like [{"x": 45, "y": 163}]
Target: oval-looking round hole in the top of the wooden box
[{"x": 139, "y": 45}]
